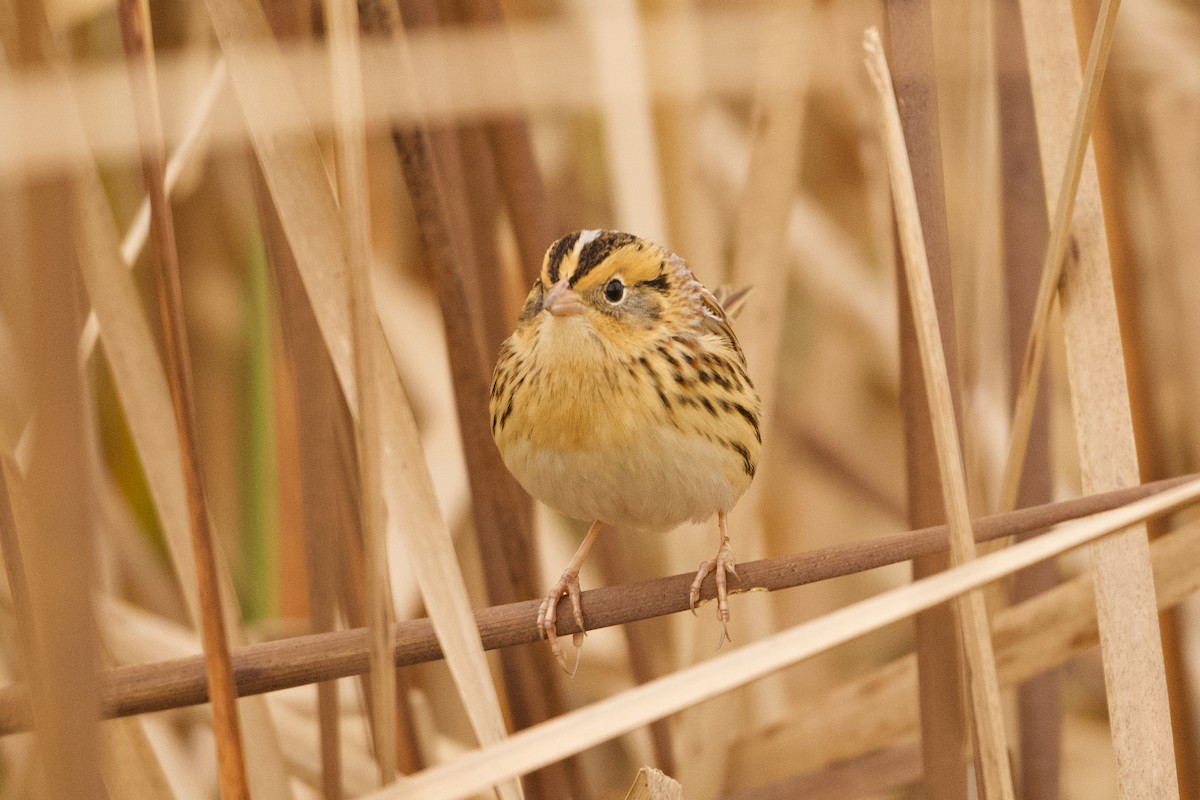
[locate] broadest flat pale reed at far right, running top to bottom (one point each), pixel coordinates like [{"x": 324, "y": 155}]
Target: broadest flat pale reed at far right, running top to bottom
[{"x": 1125, "y": 592}]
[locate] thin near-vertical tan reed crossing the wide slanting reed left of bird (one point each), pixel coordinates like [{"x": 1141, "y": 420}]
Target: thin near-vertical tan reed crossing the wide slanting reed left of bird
[{"x": 343, "y": 21}]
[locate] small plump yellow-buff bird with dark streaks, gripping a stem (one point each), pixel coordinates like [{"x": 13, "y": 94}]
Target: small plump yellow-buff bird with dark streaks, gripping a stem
[{"x": 623, "y": 400}]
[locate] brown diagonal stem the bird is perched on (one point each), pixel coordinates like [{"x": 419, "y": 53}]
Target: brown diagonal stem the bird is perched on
[{"x": 303, "y": 660}]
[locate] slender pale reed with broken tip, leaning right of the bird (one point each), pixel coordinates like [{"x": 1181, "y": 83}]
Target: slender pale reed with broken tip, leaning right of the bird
[{"x": 992, "y": 741}]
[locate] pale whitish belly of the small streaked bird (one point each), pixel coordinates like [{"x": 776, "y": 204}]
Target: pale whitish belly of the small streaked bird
[{"x": 656, "y": 483}]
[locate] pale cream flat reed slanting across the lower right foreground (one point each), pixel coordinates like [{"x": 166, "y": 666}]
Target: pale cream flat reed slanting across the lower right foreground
[{"x": 578, "y": 731}]
